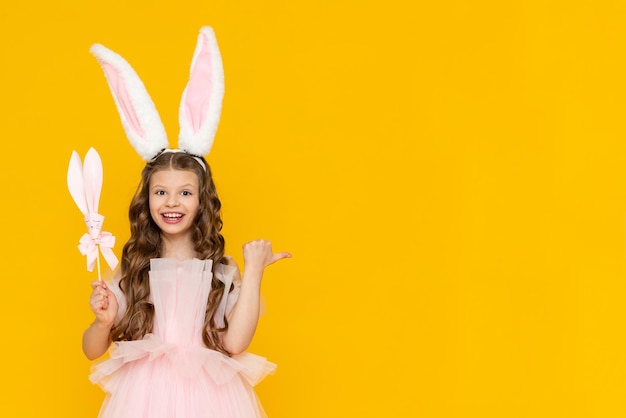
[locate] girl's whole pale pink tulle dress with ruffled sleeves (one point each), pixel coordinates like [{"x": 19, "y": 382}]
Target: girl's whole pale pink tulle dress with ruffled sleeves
[{"x": 170, "y": 373}]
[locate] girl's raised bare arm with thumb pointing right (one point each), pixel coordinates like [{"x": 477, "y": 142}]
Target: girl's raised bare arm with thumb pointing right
[{"x": 245, "y": 314}]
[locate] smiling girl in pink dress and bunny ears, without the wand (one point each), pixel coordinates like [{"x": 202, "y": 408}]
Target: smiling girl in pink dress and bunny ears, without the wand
[{"x": 178, "y": 311}]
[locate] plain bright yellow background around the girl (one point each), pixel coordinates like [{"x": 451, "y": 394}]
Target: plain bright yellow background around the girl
[{"x": 450, "y": 177}]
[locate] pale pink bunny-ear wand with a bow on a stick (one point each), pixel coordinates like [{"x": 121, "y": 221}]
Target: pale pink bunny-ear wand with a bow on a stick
[{"x": 85, "y": 185}]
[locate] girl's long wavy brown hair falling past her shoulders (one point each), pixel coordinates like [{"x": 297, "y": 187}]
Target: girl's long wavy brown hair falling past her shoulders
[{"x": 145, "y": 243}]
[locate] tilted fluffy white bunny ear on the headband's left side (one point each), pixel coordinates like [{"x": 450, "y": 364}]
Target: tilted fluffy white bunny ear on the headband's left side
[{"x": 140, "y": 118}]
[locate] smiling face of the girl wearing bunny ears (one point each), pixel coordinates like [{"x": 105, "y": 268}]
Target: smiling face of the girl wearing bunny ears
[{"x": 174, "y": 201}]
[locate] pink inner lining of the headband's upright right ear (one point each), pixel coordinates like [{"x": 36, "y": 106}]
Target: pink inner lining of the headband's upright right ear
[{"x": 199, "y": 90}]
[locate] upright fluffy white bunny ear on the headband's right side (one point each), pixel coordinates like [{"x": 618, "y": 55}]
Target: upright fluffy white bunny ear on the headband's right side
[{"x": 201, "y": 104}]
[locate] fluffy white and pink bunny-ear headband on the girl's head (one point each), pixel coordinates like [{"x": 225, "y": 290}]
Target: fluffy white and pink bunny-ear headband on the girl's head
[{"x": 200, "y": 106}]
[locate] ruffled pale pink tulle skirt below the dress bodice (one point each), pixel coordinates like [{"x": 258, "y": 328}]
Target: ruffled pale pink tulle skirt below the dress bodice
[{"x": 151, "y": 379}]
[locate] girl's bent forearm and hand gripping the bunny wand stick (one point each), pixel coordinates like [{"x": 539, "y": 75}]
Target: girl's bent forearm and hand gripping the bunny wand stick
[{"x": 97, "y": 338}]
